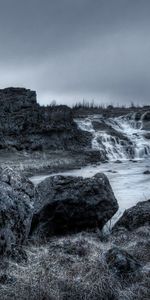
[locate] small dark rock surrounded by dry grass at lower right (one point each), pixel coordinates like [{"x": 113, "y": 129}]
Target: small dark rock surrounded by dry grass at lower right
[{"x": 121, "y": 262}]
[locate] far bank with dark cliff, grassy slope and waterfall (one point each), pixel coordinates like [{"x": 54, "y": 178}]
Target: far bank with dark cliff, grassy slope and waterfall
[{"x": 54, "y": 138}]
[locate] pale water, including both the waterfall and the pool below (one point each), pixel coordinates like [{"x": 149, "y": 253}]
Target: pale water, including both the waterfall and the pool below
[{"x": 125, "y": 144}]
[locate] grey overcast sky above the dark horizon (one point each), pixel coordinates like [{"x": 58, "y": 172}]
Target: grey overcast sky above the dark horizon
[{"x": 73, "y": 49}]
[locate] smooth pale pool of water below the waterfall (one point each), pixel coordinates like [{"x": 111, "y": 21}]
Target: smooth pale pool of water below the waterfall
[{"x": 129, "y": 183}]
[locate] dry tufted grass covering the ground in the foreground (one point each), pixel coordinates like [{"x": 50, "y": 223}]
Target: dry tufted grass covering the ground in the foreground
[{"x": 75, "y": 268}]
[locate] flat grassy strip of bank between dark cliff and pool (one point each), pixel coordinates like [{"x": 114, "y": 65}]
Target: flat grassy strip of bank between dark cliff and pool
[{"x": 32, "y": 163}]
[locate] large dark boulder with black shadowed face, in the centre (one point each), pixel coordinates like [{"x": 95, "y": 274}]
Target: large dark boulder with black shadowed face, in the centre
[{"x": 71, "y": 204}]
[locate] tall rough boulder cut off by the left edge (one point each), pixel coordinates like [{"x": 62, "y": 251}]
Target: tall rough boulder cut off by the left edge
[{"x": 16, "y": 197}]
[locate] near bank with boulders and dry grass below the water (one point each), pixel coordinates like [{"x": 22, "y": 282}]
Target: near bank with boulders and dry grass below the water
[{"x": 52, "y": 245}]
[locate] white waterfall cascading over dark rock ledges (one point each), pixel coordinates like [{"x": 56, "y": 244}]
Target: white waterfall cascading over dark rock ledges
[{"x": 118, "y": 138}]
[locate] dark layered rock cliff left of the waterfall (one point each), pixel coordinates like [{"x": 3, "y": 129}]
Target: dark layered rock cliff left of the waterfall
[{"x": 24, "y": 124}]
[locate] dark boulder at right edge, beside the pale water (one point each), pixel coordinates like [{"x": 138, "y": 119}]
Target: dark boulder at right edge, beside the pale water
[{"x": 134, "y": 217}]
